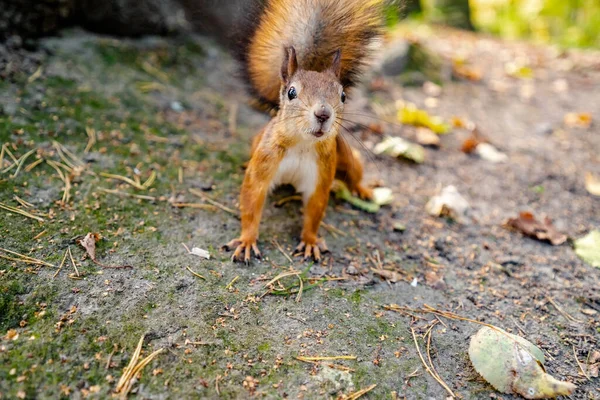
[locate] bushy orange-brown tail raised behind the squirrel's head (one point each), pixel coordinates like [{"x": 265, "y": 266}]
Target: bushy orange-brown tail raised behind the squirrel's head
[{"x": 316, "y": 28}]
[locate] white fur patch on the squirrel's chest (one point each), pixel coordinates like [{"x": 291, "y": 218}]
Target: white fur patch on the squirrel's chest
[{"x": 299, "y": 169}]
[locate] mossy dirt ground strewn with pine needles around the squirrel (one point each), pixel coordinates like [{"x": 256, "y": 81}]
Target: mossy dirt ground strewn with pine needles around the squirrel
[{"x": 175, "y": 108}]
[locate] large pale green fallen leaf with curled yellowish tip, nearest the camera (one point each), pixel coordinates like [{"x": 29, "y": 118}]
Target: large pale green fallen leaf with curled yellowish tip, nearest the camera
[{"x": 514, "y": 365}]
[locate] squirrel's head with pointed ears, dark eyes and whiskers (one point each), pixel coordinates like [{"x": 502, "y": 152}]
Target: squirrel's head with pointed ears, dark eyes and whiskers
[{"x": 310, "y": 101}]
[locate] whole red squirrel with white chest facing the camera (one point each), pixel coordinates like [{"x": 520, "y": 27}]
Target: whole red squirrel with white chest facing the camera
[{"x": 301, "y": 58}]
